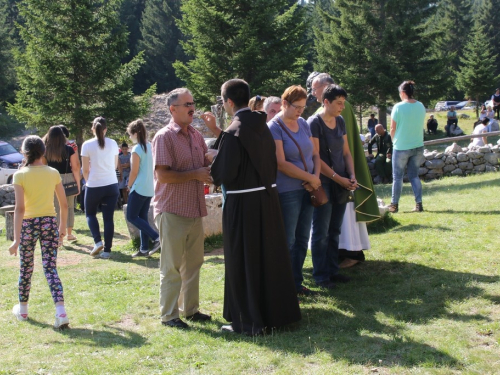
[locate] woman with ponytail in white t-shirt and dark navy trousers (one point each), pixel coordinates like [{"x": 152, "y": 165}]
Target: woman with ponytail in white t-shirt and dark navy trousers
[{"x": 99, "y": 161}]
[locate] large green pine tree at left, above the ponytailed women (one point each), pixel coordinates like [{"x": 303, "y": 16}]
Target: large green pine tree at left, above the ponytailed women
[{"x": 70, "y": 71}]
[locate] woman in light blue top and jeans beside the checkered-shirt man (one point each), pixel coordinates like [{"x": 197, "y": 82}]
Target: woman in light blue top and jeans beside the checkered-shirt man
[{"x": 141, "y": 188}]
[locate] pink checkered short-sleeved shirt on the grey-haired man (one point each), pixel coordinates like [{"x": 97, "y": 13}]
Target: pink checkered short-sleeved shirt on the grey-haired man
[{"x": 181, "y": 153}]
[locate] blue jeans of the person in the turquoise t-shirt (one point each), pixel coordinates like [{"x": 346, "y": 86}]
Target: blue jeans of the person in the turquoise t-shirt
[{"x": 411, "y": 159}]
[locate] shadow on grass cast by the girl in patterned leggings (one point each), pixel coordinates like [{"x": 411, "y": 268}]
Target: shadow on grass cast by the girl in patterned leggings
[{"x": 110, "y": 337}]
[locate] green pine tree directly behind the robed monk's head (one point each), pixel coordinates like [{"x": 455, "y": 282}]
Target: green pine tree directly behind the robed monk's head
[{"x": 260, "y": 41}]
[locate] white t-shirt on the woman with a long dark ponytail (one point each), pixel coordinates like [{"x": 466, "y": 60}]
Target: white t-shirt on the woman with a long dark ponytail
[{"x": 102, "y": 162}]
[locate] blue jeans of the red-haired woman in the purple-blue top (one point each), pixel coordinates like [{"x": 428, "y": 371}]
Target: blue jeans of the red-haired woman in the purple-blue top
[{"x": 297, "y": 210}]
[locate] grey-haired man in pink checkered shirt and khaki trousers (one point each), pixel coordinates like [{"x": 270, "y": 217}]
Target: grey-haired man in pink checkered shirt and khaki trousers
[{"x": 181, "y": 169}]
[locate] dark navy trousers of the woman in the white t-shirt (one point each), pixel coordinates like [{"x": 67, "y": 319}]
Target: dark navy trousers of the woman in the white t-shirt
[{"x": 107, "y": 197}]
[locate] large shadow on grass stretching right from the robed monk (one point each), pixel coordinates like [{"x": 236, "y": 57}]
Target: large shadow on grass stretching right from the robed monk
[{"x": 377, "y": 315}]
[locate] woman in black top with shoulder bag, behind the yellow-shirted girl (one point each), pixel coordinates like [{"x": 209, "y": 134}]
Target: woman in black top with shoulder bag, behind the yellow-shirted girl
[{"x": 63, "y": 158}]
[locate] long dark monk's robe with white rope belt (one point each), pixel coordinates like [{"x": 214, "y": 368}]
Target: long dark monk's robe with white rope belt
[{"x": 259, "y": 290}]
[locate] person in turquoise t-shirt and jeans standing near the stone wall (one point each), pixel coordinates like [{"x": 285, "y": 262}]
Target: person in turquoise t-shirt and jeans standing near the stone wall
[{"x": 407, "y": 133}]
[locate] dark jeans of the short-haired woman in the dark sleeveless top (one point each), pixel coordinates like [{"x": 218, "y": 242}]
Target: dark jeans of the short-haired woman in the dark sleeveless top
[{"x": 327, "y": 221}]
